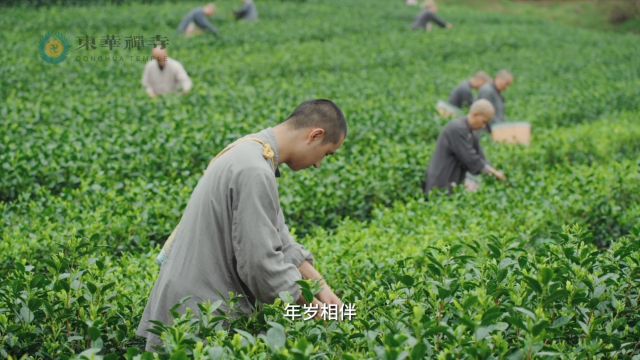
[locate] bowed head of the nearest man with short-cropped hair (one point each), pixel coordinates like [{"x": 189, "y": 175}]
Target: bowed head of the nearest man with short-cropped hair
[{"x": 315, "y": 129}]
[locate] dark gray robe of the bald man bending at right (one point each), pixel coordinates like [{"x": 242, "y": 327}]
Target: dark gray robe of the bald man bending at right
[{"x": 457, "y": 152}]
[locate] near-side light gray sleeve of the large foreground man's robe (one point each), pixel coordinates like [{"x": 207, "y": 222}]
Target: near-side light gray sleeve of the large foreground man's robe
[{"x": 261, "y": 262}]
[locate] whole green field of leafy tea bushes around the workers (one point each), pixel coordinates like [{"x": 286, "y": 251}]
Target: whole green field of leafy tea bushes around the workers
[{"x": 94, "y": 176}]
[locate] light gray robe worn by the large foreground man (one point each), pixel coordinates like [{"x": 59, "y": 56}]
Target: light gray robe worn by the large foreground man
[{"x": 232, "y": 237}]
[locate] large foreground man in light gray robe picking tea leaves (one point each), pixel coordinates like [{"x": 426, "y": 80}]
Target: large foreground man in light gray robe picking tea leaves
[{"x": 232, "y": 236}]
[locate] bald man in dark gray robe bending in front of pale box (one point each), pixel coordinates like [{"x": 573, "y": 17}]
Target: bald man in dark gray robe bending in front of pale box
[{"x": 458, "y": 151}]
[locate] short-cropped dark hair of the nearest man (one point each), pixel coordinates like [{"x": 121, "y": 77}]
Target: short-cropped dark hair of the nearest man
[{"x": 320, "y": 113}]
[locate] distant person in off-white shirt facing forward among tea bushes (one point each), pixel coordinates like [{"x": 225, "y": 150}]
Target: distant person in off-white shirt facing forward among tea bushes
[{"x": 163, "y": 75}]
